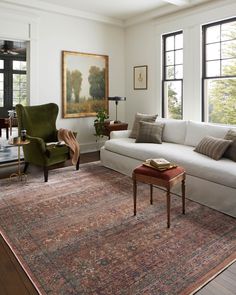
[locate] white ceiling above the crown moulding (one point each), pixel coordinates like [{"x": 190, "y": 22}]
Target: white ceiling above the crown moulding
[{"x": 120, "y": 12}]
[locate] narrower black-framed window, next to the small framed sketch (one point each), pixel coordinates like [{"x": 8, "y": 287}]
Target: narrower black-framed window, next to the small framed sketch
[{"x": 172, "y": 76}]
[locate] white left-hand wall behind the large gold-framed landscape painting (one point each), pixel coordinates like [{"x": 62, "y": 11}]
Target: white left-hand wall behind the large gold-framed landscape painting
[{"x": 51, "y": 33}]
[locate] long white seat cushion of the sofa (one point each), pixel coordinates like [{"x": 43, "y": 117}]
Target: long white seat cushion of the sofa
[{"x": 195, "y": 164}]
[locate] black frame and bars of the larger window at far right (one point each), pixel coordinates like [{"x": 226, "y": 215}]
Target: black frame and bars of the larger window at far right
[{"x": 204, "y": 61}]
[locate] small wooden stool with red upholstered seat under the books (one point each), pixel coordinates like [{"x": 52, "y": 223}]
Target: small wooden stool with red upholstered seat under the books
[{"x": 166, "y": 179}]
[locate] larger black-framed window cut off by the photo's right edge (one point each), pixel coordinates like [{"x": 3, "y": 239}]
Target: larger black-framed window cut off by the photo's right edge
[{"x": 219, "y": 72}]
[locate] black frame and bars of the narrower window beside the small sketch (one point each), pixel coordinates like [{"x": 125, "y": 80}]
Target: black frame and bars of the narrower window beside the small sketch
[{"x": 164, "y": 66}]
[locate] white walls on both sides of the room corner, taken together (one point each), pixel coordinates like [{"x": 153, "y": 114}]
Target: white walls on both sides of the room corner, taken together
[{"x": 50, "y": 33}]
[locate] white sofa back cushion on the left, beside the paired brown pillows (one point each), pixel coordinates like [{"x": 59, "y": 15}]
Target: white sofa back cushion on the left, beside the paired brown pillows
[{"x": 174, "y": 130}]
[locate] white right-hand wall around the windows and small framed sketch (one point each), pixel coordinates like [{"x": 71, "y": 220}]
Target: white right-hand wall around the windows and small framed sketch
[{"x": 143, "y": 47}]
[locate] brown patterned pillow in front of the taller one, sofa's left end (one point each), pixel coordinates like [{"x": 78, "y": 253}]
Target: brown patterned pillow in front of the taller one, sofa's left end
[{"x": 150, "y": 132}]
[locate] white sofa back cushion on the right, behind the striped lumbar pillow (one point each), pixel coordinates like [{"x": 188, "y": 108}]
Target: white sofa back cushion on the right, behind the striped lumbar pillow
[{"x": 197, "y": 130}]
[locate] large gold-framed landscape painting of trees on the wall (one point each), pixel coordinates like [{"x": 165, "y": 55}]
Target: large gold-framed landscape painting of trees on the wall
[{"x": 84, "y": 84}]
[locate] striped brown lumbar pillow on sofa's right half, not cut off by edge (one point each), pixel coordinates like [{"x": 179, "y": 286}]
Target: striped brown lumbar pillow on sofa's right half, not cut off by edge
[{"x": 212, "y": 147}]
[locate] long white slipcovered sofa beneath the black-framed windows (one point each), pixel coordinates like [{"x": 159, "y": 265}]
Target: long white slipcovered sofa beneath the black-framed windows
[{"x": 209, "y": 182}]
